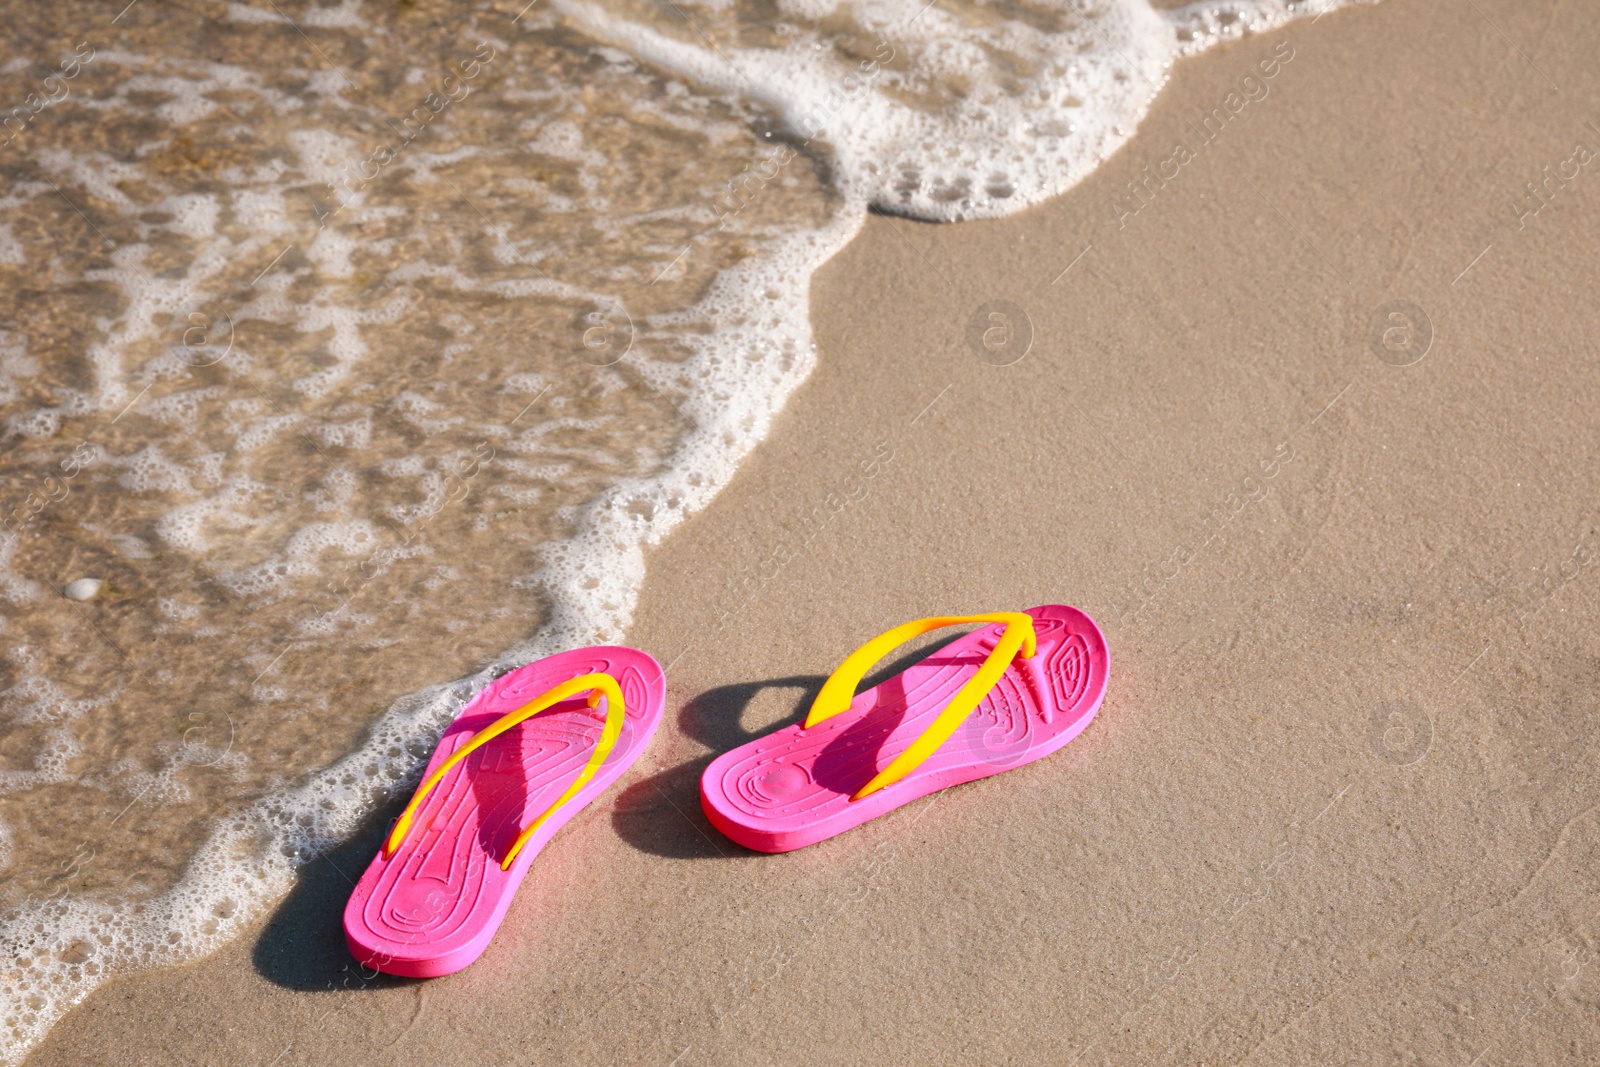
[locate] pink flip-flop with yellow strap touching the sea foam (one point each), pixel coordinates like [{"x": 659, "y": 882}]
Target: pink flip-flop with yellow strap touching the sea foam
[{"x": 522, "y": 759}]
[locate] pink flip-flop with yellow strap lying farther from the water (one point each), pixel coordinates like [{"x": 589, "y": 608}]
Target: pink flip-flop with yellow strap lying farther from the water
[{"x": 994, "y": 700}]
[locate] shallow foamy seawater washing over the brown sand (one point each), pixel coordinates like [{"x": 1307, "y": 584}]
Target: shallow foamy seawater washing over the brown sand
[{"x": 358, "y": 350}]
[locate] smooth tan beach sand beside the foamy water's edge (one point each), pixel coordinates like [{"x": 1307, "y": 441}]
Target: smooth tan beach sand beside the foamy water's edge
[{"x": 1338, "y": 804}]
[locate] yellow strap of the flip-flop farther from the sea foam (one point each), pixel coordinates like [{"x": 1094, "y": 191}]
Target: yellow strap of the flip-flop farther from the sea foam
[{"x": 841, "y": 687}]
